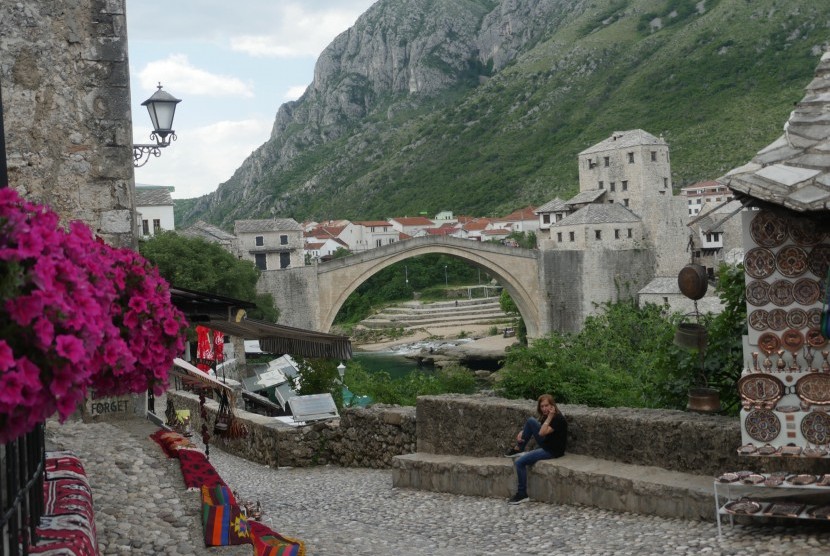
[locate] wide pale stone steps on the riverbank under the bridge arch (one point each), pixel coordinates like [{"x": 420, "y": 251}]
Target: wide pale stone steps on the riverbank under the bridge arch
[{"x": 415, "y": 314}]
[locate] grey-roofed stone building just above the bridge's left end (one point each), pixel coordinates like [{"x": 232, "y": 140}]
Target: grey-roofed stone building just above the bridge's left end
[{"x": 274, "y": 244}]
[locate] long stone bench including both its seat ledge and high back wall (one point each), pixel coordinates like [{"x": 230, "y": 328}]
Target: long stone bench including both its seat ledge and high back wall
[{"x": 653, "y": 462}]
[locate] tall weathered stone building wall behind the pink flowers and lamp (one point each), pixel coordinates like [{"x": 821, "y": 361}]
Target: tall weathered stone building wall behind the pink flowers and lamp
[{"x": 66, "y": 107}]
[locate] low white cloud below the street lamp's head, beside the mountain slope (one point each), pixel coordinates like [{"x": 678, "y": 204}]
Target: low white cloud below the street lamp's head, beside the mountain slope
[{"x": 206, "y": 156}]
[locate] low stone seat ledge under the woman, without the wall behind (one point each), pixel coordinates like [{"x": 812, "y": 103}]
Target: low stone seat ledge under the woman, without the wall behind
[{"x": 572, "y": 479}]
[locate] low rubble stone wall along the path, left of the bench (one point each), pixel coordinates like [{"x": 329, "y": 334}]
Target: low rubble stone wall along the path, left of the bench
[{"x": 362, "y": 437}]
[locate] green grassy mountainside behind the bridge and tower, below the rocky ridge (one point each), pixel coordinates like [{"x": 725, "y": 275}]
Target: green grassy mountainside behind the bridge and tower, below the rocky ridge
[{"x": 717, "y": 84}]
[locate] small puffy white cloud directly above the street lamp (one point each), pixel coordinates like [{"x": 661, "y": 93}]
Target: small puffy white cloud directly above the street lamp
[{"x": 177, "y": 73}]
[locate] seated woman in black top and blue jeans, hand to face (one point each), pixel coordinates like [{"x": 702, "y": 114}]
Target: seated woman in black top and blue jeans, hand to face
[{"x": 550, "y": 431}]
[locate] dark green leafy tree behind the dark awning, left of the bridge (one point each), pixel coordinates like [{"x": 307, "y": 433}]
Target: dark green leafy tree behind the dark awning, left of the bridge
[{"x": 195, "y": 264}]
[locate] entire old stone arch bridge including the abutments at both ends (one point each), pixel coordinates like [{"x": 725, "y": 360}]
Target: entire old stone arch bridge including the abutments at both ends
[{"x": 553, "y": 290}]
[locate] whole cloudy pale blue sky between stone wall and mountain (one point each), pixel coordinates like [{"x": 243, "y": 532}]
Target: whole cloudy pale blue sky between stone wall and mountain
[{"x": 233, "y": 64}]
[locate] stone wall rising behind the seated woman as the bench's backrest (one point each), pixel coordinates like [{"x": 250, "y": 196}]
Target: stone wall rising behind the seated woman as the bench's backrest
[{"x": 675, "y": 440}]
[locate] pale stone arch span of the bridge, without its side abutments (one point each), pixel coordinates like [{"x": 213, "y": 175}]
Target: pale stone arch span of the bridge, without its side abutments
[{"x": 516, "y": 269}]
